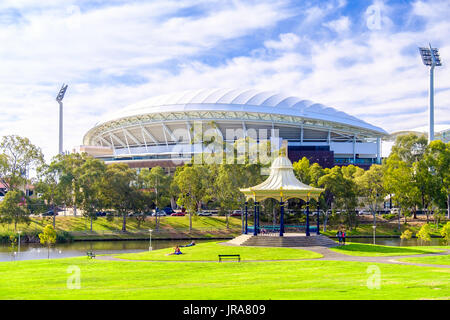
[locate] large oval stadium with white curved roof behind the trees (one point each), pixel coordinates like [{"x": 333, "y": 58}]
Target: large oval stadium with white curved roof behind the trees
[{"x": 160, "y": 130}]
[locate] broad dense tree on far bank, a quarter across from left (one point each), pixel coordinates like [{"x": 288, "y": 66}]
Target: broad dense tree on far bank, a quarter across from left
[{"x": 119, "y": 183}]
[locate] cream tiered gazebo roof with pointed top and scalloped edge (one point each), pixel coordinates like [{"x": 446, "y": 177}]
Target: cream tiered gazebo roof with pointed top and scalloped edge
[{"x": 281, "y": 183}]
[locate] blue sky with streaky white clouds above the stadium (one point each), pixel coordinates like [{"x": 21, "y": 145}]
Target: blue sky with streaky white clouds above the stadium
[{"x": 360, "y": 57}]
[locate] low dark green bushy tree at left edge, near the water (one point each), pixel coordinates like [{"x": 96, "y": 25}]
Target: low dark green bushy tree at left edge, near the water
[{"x": 13, "y": 208}]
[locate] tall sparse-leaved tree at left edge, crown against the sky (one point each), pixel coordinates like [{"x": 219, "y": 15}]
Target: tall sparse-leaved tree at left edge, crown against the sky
[{"x": 18, "y": 156}]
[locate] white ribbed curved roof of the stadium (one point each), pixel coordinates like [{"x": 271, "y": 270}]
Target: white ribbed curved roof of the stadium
[{"x": 239, "y": 100}]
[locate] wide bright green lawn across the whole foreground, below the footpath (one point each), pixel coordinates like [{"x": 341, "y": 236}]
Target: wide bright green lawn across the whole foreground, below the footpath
[{"x": 46, "y": 279}]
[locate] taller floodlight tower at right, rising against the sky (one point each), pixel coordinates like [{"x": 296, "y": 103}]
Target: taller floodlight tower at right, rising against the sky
[{"x": 430, "y": 58}]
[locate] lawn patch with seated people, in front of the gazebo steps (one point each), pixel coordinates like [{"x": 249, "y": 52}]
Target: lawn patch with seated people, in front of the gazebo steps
[{"x": 209, "y": 252}]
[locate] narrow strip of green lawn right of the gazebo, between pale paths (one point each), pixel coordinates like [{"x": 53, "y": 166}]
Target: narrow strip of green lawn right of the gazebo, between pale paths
[{"x": 370, "y": 250}]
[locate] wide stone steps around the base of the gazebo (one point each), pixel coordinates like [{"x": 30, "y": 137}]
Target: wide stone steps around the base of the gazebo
[{"x": 286, "y": 241}]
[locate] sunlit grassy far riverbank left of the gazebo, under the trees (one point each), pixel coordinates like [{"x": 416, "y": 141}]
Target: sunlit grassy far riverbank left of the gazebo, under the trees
[{"x": 78, "y": 229}]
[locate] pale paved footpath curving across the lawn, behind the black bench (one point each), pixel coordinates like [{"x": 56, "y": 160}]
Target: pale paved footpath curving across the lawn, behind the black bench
[{"x": 328, "y": 255}]
